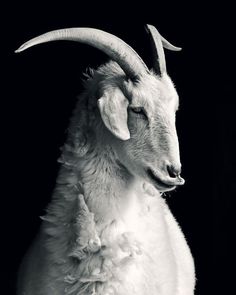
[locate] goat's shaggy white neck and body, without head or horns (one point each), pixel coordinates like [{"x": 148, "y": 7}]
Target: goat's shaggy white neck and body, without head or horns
[{"x": 107, "y": 230}]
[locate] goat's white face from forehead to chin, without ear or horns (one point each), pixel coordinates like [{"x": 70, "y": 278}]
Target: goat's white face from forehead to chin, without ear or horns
[{"x": 153, "y": 149}]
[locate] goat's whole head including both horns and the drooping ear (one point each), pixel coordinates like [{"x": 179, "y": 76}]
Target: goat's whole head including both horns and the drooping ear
[{"x": 140, "y": 111}]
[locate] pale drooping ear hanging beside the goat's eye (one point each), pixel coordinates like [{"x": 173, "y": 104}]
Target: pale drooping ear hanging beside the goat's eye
[{"x": 113, "y": 108}]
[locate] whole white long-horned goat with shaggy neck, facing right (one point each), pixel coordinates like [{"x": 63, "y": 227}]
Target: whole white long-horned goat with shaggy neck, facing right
[{"x": 107, "y": 229}]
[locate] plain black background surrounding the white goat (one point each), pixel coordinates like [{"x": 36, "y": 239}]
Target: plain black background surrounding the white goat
[{"x": 39, "y": 89}]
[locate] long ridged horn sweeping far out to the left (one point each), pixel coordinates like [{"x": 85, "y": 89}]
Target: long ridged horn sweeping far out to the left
[{"x": 117, "y": 49}]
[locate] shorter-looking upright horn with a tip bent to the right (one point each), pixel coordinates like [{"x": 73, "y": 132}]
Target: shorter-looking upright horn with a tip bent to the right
[{"x": 158, "y": 42}]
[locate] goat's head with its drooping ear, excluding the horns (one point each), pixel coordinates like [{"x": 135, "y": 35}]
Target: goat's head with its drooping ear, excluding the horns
[{"x": 142, "y": 114}]
